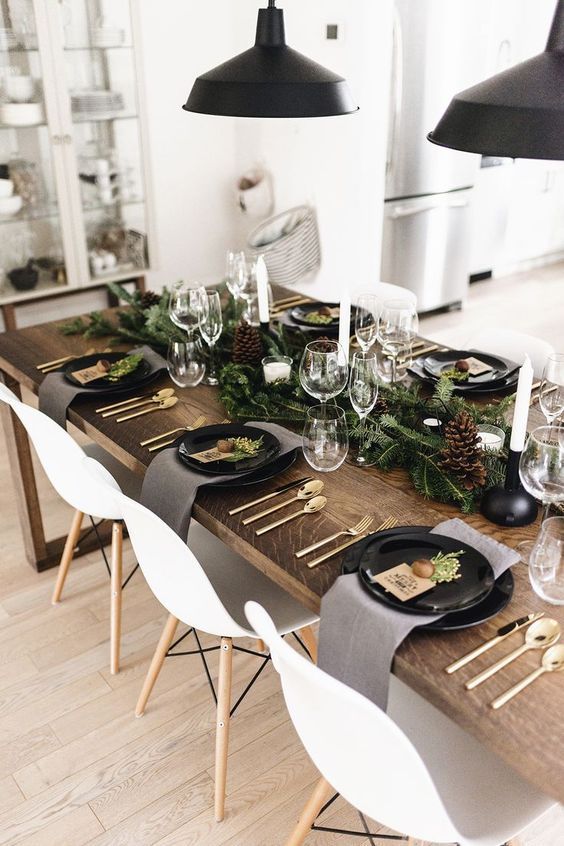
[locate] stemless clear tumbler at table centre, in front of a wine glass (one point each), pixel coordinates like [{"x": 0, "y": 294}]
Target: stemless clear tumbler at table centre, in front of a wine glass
[{"x": 325, "y": 438}]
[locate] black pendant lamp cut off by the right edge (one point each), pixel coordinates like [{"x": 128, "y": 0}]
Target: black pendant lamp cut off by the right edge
[{"x": 518, "y": 113}]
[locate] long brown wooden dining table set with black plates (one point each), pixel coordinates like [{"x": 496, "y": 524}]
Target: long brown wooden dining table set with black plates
[{"x": 527, "y": 733}]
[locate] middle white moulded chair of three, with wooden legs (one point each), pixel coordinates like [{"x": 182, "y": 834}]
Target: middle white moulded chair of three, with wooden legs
[{"x": 208, "y": 595}]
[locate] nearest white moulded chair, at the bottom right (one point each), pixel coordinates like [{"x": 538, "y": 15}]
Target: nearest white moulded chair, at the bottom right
[{"x": 412, "y": 769}]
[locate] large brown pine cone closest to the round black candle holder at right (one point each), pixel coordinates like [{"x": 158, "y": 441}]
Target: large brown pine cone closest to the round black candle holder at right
[{"x": 463, "y": 457}]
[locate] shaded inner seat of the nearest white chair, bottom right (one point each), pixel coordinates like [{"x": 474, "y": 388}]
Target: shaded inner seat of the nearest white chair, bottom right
[{"x": 499, "y": 803}]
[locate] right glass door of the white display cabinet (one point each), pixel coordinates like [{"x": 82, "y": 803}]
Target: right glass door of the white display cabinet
[{"x": 102, "y": 90}]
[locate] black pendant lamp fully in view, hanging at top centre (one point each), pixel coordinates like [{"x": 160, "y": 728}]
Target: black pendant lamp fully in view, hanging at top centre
[{"x": 270, "y": 80}]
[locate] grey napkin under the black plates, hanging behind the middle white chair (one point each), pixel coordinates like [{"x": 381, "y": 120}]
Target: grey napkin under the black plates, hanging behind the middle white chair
[{"x": 170, "y": 487}]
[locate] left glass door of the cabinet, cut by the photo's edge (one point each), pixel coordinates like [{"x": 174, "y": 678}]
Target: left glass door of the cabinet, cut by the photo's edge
[{"x": 31, "y": 255}]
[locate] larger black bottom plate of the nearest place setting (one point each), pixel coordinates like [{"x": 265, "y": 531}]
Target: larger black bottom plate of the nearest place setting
[{"x": 498, "y": 598}]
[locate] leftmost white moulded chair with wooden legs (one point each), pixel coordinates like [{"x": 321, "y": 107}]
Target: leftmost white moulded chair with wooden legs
[{"x": 62, "y": 459}]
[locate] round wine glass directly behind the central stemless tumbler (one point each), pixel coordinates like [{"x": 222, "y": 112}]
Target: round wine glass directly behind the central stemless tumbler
[{"x": 323, "y": 370}]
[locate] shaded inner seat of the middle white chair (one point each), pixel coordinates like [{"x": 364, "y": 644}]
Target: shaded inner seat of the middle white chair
[{"x": 236, "y": 581}]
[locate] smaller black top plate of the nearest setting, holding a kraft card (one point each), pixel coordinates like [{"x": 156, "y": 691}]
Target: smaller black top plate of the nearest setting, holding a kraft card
[{"x": 476, "y": 574}]
